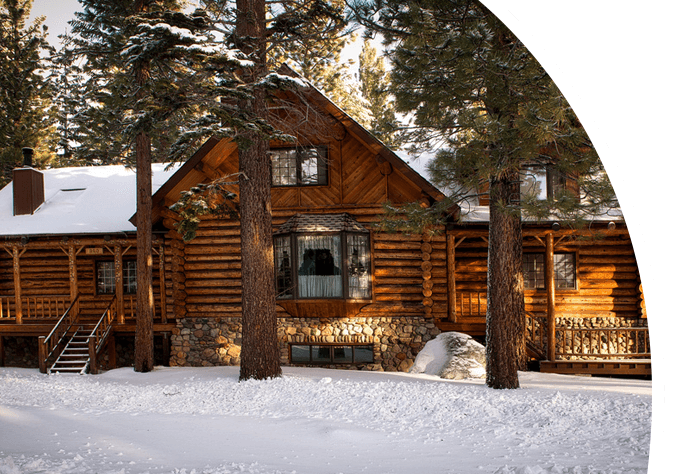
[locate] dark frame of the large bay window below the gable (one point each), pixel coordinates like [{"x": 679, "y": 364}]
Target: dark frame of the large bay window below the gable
[{"x": 292, "y": 293}]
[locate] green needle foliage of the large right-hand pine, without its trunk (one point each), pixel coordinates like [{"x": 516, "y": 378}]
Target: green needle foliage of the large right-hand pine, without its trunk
[{"x": 482, "y": 104}]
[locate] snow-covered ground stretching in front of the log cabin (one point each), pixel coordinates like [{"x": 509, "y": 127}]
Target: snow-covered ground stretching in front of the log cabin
[{"x": 319, "y": 421}]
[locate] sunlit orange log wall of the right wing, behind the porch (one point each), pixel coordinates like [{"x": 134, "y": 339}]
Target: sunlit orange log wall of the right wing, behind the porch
[{"x": 608, "y": 285}]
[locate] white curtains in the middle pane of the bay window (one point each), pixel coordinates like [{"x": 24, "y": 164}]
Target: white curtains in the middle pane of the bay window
[{"x": 320, "y": 266}]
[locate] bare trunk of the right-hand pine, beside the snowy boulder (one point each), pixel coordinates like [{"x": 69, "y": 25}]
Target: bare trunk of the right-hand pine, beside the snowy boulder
[{"x": 505, "y": 338}]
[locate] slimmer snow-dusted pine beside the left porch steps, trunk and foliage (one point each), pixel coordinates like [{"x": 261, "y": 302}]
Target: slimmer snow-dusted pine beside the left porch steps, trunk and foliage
[{"x": 151, "y": 68}]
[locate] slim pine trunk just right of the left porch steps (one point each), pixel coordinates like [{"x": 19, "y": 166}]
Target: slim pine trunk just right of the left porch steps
[{"x": 143, "y": 356}]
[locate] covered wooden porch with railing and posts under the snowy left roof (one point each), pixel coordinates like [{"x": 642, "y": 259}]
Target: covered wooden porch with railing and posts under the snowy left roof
[{"x": 53, "y": 288}]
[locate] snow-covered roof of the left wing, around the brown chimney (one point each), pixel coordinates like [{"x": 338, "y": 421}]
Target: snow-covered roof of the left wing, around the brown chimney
[{"x": 86, "y": 200}]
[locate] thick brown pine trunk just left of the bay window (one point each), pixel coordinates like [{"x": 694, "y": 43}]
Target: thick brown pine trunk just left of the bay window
[{"x": 259, "y": 356}]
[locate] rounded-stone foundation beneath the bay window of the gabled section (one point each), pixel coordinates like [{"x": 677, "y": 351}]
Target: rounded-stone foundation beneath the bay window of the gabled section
[{"x": 396, "y": 341}]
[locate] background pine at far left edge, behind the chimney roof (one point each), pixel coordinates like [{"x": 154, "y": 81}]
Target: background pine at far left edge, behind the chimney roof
[{"x": 25, "y": 92}]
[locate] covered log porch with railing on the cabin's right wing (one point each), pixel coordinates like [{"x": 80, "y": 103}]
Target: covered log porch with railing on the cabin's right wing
[{"x": 597, "y": 321}]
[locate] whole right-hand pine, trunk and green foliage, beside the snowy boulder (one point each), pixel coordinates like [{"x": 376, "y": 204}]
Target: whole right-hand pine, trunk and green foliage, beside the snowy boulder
[{"x": 478, "y": 96}]
